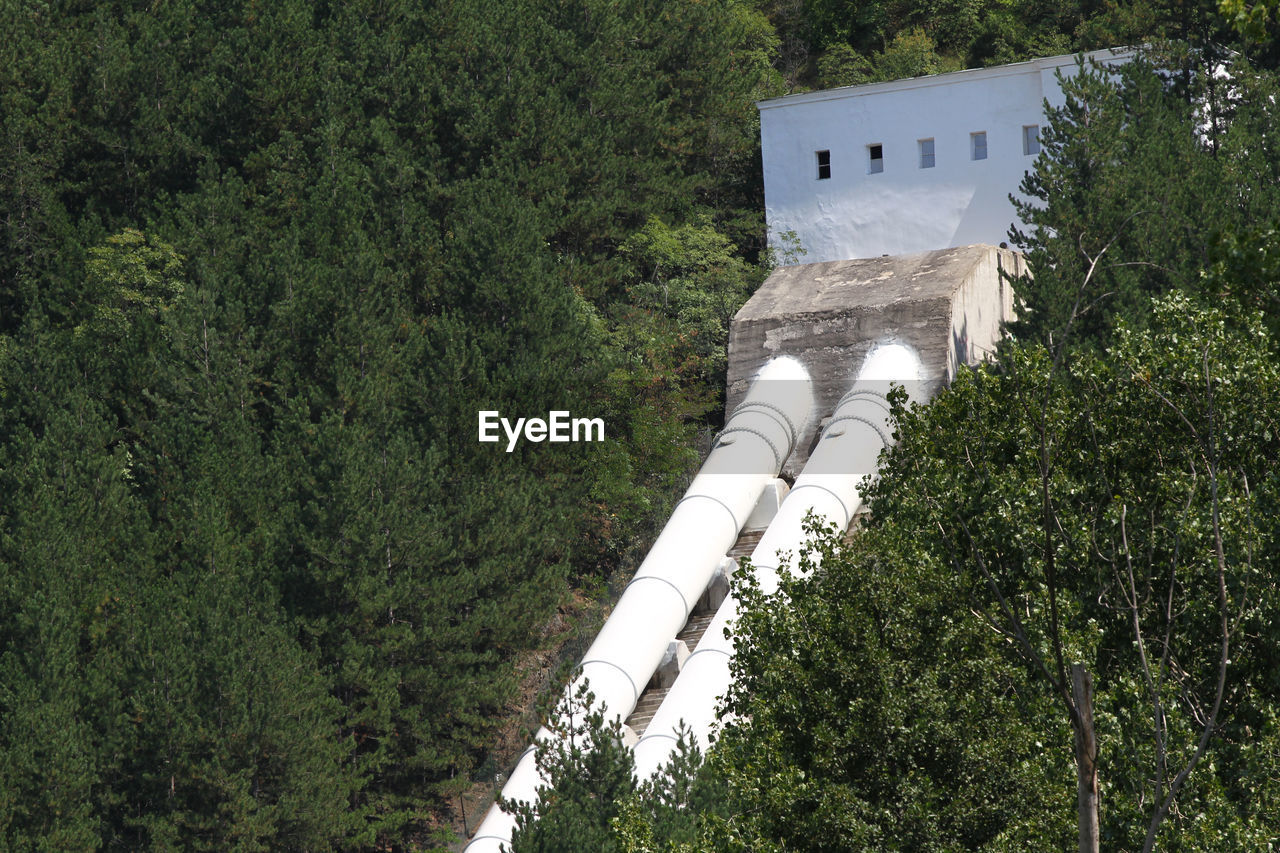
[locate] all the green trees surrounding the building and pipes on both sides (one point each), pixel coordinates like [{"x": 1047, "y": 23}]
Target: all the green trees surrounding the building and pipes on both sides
[{"x": 262, "y": 264}]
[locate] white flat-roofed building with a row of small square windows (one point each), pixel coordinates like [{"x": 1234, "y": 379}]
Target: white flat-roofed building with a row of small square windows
[{"x": 908, "y": 166}]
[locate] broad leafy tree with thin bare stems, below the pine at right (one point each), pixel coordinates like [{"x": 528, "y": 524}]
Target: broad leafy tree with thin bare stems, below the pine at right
[{"x": 1116, "y": 518}]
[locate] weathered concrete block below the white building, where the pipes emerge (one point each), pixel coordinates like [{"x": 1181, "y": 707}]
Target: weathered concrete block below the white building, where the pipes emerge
[{"x": 947, "y": 305}]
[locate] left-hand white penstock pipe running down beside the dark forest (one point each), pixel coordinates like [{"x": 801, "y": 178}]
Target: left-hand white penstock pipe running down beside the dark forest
[{"x": 758, "y": 437}]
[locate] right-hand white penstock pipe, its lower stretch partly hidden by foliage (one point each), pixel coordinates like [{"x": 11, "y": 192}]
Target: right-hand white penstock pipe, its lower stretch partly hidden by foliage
[{"x": 848, "y": 451}]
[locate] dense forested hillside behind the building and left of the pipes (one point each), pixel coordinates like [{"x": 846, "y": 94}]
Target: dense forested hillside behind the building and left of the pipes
[{"x": 260, "y": 267}]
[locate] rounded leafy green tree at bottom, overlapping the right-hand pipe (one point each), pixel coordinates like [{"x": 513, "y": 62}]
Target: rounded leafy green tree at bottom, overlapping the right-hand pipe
[{"x": 872, "y": 713}]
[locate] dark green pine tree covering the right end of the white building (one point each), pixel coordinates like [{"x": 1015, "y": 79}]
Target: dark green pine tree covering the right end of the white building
[{"x": 1139, "y": 179}]
